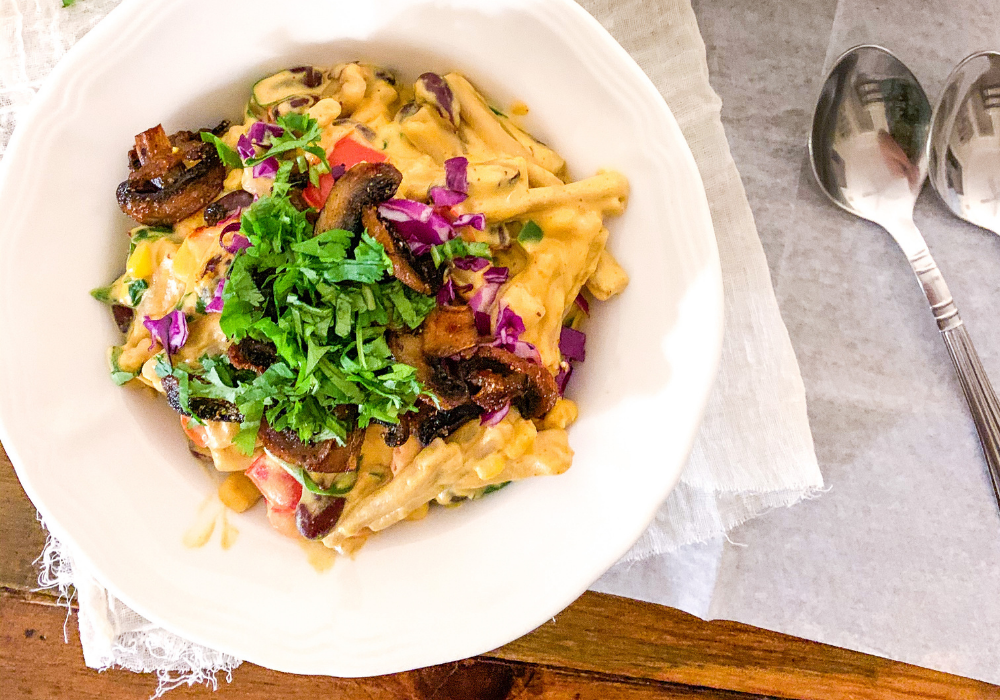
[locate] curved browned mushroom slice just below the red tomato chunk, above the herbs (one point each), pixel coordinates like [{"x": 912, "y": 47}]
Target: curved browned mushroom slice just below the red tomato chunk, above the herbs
[{"x": 364, "y": 185}]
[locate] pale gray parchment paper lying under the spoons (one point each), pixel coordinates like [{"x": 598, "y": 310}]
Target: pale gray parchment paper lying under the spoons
[{"x": 901, "y": 558}]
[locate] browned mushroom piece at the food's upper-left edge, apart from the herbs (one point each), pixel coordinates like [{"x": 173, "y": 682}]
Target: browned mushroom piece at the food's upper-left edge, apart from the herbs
[{"x": 170, "y": 178}]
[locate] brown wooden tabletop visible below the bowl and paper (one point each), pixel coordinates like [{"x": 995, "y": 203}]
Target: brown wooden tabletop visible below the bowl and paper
[{"x": 600, "y": 648}]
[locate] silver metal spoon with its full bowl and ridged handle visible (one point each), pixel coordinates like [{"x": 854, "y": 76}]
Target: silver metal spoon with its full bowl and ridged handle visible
[{"x": 869, "y": 152}]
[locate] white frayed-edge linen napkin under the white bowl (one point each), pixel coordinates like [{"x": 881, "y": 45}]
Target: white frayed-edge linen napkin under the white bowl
[{"x": 754, "y": 450}]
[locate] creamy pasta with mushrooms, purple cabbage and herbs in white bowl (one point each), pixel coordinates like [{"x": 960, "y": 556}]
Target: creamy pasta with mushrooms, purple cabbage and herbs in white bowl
[{"x": 365, "y": 299}]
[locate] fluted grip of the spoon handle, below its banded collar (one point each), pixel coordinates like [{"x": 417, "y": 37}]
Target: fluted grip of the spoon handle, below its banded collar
[{"x": 979, "y": 393}]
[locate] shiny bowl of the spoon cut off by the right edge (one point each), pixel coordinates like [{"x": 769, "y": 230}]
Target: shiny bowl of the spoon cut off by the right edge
[{"x": 965, "y": 141}]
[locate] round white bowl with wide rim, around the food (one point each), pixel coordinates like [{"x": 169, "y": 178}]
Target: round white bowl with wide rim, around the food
[{"x": 109, "y": 469}]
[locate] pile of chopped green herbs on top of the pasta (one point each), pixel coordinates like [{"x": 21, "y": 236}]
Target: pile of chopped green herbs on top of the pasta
[{"x": 326, "y": 302}]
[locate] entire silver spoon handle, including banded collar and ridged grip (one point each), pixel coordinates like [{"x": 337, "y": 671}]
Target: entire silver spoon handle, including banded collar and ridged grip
[{"x": 976, "y": 385}]
